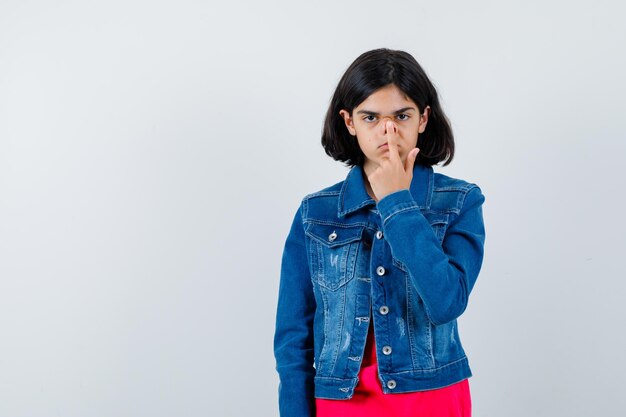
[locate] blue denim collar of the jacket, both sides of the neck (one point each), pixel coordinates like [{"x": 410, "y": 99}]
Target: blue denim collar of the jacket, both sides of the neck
[{"x": 353, "y": 194}]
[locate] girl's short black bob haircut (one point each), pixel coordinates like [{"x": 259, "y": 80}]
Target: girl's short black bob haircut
[{"x": 373, "y": 70}]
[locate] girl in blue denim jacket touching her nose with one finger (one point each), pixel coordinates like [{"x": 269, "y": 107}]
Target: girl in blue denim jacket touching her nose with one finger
[{"x": 377, "y": 268}]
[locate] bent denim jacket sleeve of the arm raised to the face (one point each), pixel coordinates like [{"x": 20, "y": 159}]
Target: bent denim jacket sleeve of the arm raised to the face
[{"x": 443, "y": 273}]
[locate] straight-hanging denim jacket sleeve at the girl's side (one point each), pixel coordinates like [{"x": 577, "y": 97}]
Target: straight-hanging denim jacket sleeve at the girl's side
[{"x": 293, "y": 337}]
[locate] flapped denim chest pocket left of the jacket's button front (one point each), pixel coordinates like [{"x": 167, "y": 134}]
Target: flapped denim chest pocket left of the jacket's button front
[{"x": 333, "y": 253}]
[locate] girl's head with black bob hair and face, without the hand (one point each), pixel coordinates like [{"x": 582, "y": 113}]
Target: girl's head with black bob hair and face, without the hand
[{"x": 381, "y": 85}]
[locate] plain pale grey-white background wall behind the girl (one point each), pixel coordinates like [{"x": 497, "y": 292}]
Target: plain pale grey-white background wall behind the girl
[{"x": 152, "y": 155}]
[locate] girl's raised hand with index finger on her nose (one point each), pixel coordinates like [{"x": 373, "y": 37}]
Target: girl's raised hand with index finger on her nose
[{"x": 392, "y": 174}]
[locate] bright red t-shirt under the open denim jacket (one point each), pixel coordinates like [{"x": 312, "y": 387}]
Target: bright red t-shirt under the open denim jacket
[{"x": 370, "y": 401}]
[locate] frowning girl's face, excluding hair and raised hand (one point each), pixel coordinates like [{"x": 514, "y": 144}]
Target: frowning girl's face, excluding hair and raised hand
[{"x": 369, "y": 120}]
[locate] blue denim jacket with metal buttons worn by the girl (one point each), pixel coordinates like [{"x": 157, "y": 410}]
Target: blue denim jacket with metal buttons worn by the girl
[{"x": 408, "y": 262}]
